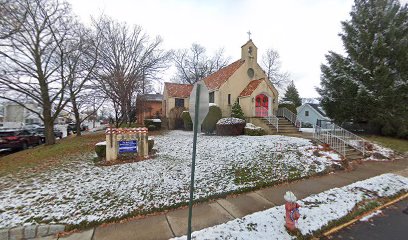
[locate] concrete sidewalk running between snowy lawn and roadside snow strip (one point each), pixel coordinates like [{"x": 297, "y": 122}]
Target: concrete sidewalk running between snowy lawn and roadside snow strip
[{"x": 174, "y": 223}]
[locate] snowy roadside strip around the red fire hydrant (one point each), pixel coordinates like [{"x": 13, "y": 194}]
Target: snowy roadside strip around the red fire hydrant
[{"x": 316, "y": 211}]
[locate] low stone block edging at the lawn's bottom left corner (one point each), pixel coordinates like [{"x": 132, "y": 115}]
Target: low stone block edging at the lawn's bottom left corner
[{"x": 30, "y": 232}]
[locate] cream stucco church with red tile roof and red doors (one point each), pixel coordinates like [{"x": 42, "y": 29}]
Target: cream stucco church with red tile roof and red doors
[{"x": 243, "y": 80}]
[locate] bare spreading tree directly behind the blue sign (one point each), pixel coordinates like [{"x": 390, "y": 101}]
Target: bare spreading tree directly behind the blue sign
[{"x": 128, "y": 61}]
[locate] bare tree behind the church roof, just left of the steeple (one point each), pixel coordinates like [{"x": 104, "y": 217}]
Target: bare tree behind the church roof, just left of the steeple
[{"x": 193, "y": 64}]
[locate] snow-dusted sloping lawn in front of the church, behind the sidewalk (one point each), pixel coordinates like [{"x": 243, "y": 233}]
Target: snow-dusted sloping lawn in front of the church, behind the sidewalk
[{"x": 78, "y": 191}]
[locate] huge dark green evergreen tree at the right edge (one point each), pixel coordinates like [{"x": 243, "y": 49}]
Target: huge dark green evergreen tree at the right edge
[{"x": 370, "y": 83}]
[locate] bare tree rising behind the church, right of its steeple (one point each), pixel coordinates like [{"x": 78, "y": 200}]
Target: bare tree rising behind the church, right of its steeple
[{"x": 272, "y": 65}]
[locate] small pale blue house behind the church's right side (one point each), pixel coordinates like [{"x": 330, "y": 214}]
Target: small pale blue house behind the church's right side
[{"x": 309, "y": 113}]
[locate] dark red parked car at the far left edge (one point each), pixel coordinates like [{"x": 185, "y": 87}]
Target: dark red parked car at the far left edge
[{"x": 14, "y": 139}]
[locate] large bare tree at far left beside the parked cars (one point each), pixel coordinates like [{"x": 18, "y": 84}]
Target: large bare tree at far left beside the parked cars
[{"x": 32, "y": 59}]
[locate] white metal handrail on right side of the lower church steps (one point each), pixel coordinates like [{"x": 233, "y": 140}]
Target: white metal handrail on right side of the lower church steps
[{"x": 349, "y": 138}]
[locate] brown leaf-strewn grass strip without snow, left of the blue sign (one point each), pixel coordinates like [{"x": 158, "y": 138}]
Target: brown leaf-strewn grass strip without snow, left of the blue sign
[{"x": 45, "y": 157}]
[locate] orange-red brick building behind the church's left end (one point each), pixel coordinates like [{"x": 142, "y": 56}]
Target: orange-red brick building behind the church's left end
[{"x": 148, "y": 106}]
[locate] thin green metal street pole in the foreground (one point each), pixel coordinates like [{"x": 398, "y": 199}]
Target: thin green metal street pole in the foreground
[{"x": 190, "y": 205}]
